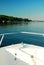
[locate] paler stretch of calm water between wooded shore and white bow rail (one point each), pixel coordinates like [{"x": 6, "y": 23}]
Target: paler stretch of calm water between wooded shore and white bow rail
[{"x": 27, "y": 27}]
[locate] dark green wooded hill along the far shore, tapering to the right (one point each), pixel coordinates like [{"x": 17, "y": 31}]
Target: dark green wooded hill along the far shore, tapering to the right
[{"x": 4, "y": 19}]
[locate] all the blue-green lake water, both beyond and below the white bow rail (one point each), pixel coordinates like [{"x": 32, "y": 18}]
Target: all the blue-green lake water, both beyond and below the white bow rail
[{"x": 37, "y": 27}]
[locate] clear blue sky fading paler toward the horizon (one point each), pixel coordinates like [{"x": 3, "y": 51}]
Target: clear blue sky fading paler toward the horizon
[{"x": 32, "y": 9}]
